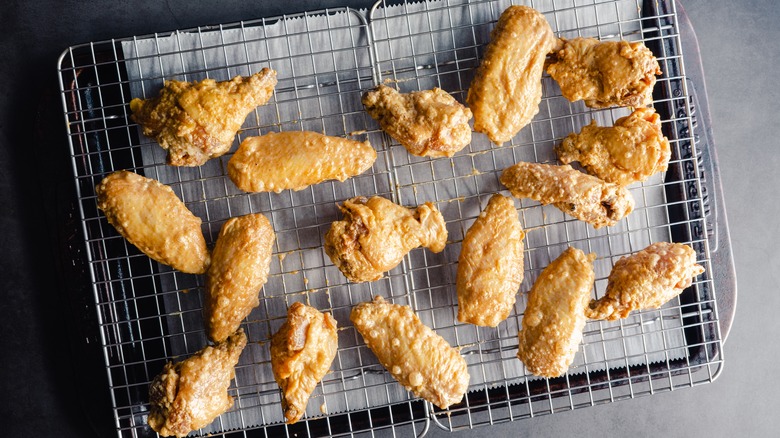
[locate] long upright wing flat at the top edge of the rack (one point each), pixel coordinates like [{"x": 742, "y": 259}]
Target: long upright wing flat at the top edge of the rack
[{"x": 507, "y": 87}]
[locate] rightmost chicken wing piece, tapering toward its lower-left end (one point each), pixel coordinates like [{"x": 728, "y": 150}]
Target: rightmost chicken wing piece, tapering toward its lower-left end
[{"x": 646, "y": 280}]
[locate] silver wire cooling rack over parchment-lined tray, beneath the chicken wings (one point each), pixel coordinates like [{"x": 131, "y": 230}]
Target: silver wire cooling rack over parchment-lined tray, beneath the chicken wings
[{"x": 150, "y": 314}]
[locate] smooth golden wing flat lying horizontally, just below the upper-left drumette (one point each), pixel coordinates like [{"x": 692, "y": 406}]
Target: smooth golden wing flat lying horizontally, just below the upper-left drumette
[{"x": 295, "y": 160}]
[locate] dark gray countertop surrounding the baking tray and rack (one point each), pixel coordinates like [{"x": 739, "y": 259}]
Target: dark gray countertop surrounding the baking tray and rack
[{"x": 37, "y": 379}]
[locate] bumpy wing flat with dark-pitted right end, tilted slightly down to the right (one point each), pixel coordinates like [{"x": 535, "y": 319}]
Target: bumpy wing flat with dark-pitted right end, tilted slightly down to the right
[{"x": 582, "y": 196}]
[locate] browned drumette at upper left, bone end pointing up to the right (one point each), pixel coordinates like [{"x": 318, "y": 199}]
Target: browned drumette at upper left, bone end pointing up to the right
[{"x": 198, "y": 121}]
